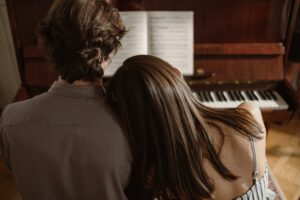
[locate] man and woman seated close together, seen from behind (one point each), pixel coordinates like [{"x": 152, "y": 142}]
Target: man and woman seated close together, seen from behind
[{"x": 147, "y": 137}]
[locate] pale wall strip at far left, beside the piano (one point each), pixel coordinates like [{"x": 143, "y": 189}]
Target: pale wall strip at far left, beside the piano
[{"x": 9, "y": 75}]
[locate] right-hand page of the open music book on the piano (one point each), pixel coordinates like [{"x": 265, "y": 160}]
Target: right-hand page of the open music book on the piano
[{"x": 172, "y": 38}]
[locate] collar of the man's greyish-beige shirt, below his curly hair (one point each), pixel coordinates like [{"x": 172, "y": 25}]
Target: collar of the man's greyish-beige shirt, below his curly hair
[{"x": 70, "y": 90}]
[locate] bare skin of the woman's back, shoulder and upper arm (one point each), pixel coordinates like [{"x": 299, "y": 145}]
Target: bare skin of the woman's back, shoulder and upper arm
[{"x": 237, "y": 154}]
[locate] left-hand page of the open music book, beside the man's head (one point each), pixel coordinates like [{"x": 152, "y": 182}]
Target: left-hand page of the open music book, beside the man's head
[{"x": 134, "y": 42}]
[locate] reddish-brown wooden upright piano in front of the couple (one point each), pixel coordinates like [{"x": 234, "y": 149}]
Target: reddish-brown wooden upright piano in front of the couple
[{"x": 240, "y": 50}]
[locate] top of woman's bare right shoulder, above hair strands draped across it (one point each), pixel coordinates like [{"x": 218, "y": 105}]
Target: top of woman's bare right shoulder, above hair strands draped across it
[{"x": 255, "y": 113}]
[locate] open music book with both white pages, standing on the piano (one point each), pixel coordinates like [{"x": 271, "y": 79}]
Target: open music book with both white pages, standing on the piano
[{"x": 165, "y": 34}]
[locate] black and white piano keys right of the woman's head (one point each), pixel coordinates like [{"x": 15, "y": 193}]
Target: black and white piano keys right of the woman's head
[{"x": 264, "y": 99}]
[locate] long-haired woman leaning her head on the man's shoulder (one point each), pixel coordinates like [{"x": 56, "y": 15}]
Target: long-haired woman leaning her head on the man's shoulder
[{"x": 182, "y": 149}]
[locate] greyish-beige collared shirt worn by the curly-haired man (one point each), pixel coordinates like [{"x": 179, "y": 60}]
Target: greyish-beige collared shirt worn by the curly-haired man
[{"x": 65, "y": 144}]
